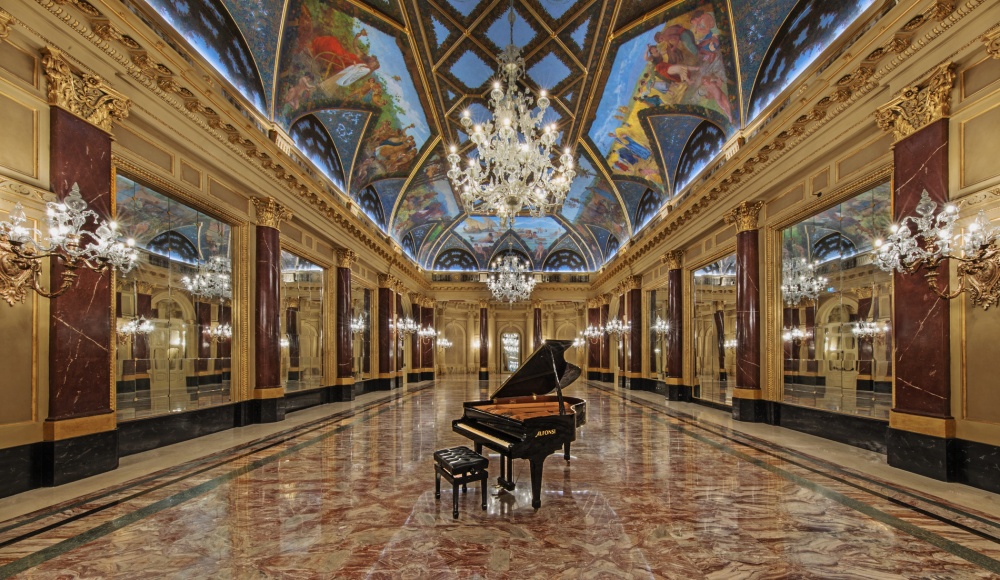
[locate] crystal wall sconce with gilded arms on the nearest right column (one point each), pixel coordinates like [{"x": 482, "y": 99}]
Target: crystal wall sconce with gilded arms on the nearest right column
[{"x": 925, "y": 241}]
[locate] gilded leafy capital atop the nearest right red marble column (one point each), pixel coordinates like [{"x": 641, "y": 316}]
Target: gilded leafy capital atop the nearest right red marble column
[{"x": 918, "y": 106}]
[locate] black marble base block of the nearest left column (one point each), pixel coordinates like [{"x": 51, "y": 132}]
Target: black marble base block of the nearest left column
[{"x": 76, "y": 458}]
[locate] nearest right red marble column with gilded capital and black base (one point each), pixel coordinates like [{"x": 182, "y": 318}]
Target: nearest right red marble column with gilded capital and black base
[{"x": 921, "y": 429}]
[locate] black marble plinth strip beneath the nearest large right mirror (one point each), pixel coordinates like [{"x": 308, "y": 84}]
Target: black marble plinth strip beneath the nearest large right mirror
[{"x": 862, "y": 432}]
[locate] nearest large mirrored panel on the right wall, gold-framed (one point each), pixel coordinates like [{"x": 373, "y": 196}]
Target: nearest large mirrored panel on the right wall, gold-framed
[{"x": 836, "y": 309}]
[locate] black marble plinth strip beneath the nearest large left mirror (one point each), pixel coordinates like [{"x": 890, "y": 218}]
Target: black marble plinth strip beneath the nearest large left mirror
[{"x": 145, "y": 434}]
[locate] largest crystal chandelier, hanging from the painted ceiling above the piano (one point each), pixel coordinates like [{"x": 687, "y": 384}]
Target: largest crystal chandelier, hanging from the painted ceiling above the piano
[{"x": 513, "y": 168}]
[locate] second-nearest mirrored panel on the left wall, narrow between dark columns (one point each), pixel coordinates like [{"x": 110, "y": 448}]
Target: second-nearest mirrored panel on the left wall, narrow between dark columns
[{"x": 301, "y": 323}]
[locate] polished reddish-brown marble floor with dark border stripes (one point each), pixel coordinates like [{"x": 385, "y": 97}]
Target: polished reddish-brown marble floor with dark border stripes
[{"x": 654, "y": 490}]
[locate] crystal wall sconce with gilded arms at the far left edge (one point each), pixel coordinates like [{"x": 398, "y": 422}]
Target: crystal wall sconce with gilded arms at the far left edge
[{"x": 21, "y": 252}]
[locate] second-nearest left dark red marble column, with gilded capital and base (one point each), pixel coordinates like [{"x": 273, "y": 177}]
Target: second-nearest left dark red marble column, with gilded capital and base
[{"x": 268, "y": 396}]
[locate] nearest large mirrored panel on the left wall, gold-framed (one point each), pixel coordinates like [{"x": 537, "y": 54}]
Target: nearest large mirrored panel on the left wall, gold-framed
[{"x": 174, "y": 316}]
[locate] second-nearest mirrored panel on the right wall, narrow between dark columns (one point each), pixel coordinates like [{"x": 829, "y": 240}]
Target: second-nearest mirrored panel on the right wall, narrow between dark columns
[{"x": 715, "y": 330}]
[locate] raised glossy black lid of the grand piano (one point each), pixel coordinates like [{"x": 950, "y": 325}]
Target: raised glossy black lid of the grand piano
[{"x": 545, "y": 371}]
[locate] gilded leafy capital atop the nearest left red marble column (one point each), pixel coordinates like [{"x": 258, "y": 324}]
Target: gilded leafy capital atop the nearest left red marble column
[{"x": 86, "y": 96}]
